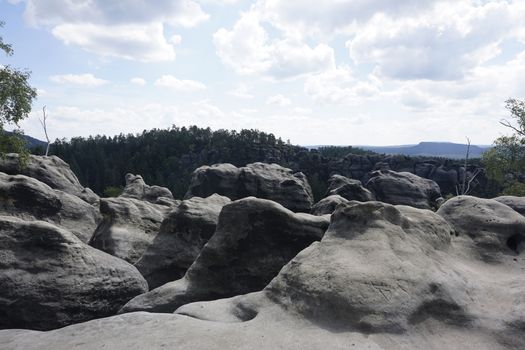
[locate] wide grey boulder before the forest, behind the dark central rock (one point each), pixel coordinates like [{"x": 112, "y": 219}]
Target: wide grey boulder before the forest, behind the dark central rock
[{"x": 261, "y": 180}]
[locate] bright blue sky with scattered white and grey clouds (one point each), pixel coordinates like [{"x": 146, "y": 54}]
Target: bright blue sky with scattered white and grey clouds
[{"x": 339, "y": 72}]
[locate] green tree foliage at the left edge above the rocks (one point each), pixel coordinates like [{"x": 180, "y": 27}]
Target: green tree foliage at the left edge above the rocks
[{"x": 16, "y": 97}]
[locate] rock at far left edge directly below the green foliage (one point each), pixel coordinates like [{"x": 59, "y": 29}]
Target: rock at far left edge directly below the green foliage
[{"x": 50, "y": 170}]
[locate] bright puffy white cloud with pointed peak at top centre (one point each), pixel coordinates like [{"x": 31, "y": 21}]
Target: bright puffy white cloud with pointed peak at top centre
[{"x": 248, "y": 49}]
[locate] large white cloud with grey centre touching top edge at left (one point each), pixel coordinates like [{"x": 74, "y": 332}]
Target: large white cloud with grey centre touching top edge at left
[{"x": 124, "y": 29}]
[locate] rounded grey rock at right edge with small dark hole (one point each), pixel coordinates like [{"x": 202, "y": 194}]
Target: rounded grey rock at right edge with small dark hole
[{"x": 494, "y": 228}]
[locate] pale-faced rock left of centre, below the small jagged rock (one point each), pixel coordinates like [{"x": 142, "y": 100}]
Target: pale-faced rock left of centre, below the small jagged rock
[{"x": 128, "y": 228}]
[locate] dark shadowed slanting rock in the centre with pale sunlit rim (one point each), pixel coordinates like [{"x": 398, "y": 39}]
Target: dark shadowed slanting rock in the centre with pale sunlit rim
[{"x": 254, "y": 239}]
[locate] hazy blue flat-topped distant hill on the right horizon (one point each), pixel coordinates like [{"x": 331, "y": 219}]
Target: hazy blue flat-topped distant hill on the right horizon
[{"x": 431, "y": 149}]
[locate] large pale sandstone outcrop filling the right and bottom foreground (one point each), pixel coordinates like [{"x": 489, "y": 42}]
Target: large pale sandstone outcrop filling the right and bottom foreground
[{"x": 382, "y": 277}]
